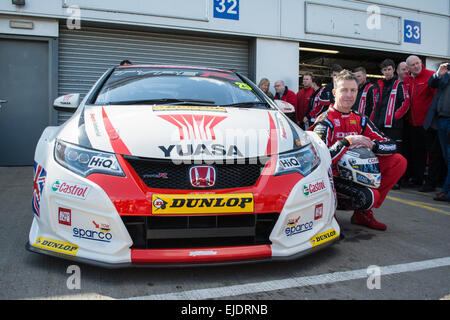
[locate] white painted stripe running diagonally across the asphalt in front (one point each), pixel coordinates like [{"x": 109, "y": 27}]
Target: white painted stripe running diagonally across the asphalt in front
[{"x": 249, "y": 288}]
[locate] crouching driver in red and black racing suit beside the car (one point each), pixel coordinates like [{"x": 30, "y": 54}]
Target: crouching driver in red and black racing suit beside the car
[{"x": 342, "y": 129}]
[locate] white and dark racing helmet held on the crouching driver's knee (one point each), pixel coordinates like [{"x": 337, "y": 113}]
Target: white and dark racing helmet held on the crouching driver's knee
[{"x": 360, "y": 166}]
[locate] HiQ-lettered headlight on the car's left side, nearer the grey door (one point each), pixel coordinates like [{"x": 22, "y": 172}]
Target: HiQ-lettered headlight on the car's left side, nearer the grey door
[{"x": 85, "y": 161}]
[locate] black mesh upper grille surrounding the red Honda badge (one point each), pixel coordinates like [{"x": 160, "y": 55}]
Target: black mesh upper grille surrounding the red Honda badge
[{"x": 163, "y": 174}]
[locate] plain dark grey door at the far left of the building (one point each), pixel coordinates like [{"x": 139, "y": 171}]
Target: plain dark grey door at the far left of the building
[{"x": 24, "y": 89}]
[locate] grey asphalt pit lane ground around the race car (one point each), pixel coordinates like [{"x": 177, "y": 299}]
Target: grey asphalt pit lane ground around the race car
[{"x": 413, "y": 256}]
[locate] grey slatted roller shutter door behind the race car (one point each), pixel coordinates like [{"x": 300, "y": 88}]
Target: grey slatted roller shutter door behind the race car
[{"x": 84, "y": 55}]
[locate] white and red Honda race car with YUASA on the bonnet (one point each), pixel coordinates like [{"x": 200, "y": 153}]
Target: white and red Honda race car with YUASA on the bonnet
[{"x": 174, "y": 165}]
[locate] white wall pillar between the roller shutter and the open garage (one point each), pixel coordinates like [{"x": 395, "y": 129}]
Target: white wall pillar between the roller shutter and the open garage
[{"x": 277, "y": 60}]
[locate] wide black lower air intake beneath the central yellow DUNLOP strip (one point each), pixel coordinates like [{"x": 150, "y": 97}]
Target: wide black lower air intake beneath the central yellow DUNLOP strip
[{"x": 151, "y": 232}]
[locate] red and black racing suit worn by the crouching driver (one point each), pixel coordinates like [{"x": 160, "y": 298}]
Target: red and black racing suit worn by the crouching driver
[{"x": 333, "y": 127}]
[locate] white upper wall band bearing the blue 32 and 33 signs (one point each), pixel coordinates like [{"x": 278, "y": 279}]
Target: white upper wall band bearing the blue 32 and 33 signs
[{"x": 274, "y": 19}]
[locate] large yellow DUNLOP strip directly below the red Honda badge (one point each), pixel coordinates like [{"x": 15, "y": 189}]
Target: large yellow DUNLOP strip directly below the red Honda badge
[{"x": 202, "y": 203}]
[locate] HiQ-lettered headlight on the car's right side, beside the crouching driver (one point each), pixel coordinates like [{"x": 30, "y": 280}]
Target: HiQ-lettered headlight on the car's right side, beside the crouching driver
[{"x": 303, "y": 160}]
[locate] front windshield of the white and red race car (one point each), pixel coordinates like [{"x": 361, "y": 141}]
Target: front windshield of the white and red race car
[{"x": 157, "y": 85}]
